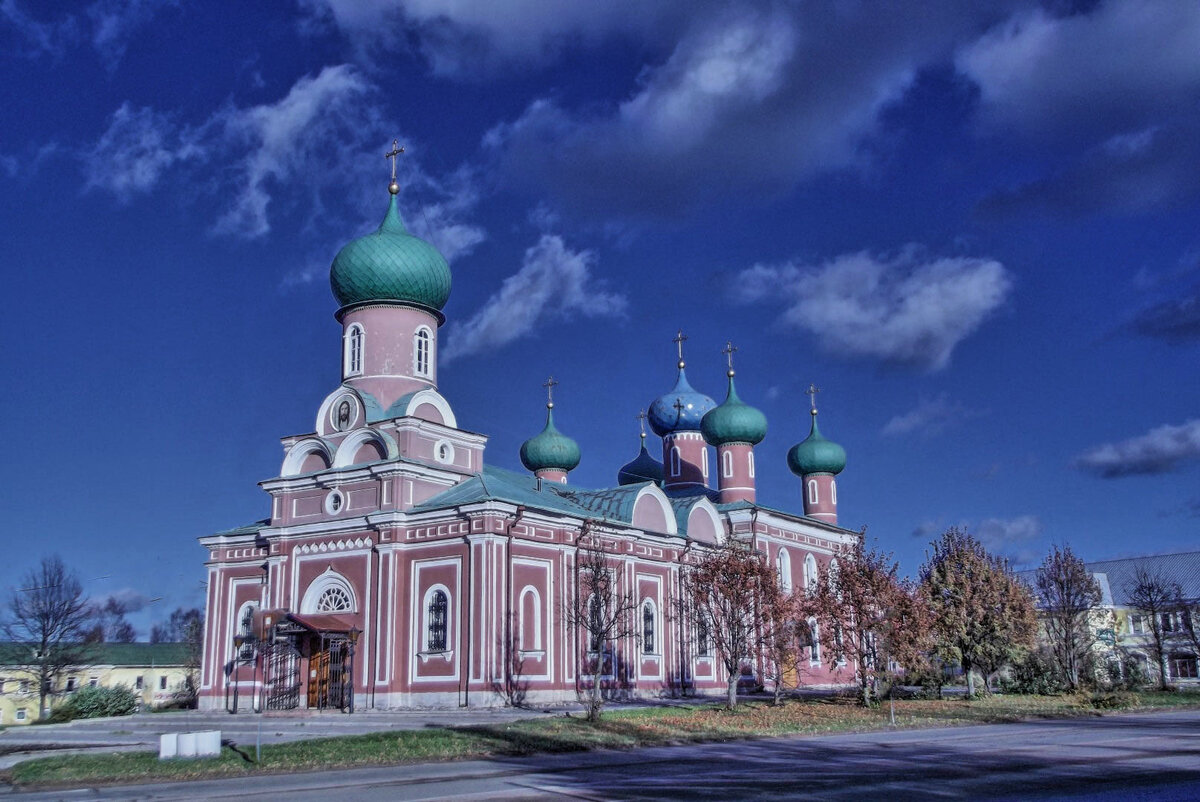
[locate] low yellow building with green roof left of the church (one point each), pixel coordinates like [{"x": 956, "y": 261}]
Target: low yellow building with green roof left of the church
[{"x": 157, "y": 673}]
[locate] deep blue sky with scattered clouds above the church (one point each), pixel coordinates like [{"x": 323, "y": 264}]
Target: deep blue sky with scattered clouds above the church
[{"x": 975, "y": 226}]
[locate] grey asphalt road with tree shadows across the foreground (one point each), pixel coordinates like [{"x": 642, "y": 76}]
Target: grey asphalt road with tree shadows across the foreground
[{"x": 1127, "y": 757}]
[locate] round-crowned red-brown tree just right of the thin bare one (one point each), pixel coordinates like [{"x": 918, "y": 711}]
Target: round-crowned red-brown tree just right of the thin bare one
[{"x": 736, "y": 597}]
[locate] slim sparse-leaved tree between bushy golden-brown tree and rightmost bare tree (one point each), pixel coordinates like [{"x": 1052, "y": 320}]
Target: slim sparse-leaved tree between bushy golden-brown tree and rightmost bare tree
[{"x": 1067, "y": 594}]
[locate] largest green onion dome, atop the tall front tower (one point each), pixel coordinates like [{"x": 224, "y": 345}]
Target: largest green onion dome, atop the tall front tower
[{"x": 391, "y": 265}]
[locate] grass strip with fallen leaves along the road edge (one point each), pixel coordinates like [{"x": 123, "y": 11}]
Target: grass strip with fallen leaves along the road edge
[{"x": 620, "y": 729}]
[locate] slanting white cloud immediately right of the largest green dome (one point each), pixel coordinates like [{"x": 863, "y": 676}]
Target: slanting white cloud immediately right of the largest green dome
[{"x": 554, "y": 282}]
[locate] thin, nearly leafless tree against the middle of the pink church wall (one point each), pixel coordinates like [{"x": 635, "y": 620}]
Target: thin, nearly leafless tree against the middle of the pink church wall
[{"x": 602, "y": 612}]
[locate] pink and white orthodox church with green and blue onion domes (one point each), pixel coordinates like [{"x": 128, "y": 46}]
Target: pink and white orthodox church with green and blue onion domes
[{"x": 400, "y": 568}]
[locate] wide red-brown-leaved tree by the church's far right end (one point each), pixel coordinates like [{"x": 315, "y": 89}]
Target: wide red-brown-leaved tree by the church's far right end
[{"x": 872, "y": 619}]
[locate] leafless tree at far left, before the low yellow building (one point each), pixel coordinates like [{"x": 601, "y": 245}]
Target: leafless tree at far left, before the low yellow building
[{"x": 47, "y": 621}]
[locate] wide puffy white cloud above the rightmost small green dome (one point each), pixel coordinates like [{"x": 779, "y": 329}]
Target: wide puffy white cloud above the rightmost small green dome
[{"x": 905, "y": 310}]
